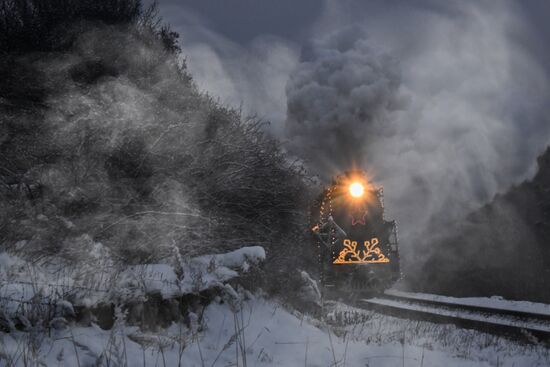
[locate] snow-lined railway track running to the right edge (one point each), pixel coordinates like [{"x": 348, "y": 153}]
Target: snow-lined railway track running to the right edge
[{"x": 527, "y": 326}]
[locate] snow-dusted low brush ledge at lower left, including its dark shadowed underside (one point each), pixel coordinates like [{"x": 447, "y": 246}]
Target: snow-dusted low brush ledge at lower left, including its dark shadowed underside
[{"x": 51, "y": 294}]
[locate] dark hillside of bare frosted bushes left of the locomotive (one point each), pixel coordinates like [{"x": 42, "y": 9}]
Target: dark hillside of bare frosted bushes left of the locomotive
[{"x": 104, "y": 135}]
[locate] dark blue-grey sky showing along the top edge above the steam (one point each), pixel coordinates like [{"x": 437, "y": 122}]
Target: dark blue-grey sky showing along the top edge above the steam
[{"x": 243, "y": 20}]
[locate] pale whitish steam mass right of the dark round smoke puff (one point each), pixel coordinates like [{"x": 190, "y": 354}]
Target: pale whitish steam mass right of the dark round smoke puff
[{"x": 476, "y": 122}]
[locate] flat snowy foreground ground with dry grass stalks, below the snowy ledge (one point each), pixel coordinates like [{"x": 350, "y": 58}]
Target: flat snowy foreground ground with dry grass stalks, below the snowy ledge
[{"x": 263, "y": 333}]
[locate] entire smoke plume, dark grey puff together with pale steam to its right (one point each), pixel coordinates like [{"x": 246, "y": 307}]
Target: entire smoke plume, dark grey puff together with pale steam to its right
[{"x": 474, "y": 123}]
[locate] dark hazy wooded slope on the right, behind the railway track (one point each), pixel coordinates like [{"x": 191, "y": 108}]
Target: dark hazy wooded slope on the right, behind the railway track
[{"x": 502, "y": 249}]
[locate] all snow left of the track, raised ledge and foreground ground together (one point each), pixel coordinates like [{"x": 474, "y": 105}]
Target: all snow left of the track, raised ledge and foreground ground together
[{"x": 236, "y": 329}]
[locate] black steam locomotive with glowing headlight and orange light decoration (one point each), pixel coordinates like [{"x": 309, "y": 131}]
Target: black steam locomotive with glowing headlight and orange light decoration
[{"x": 357, "y": 246}]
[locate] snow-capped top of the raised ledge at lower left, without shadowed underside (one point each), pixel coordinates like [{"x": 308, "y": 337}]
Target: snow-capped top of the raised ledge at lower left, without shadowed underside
[{"x": 98, "y": 280}]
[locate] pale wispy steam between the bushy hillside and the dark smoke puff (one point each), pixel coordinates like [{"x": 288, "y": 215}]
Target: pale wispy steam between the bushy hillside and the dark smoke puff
[{"x": 251, "y": 76}]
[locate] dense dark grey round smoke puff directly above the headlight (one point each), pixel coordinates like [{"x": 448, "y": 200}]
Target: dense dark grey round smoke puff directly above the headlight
[{"x": 340, "y": 99}]
